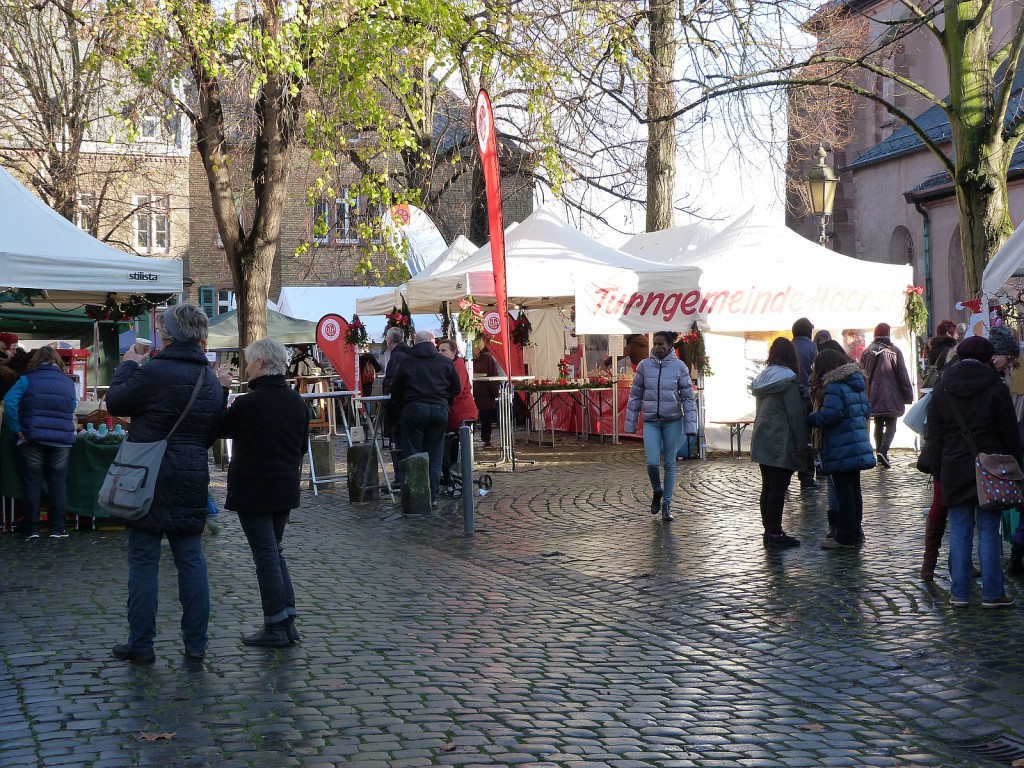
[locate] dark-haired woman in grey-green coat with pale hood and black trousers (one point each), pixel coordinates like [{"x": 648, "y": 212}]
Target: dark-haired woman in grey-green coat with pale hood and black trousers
[{"x": 780, "y": 441}]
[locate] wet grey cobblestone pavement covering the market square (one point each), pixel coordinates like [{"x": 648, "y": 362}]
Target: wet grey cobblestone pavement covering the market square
[{"x": 572, "y": 630}]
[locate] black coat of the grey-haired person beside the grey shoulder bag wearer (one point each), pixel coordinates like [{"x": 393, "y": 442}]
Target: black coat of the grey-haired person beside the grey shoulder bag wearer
[{"x": 270, "y": 426}]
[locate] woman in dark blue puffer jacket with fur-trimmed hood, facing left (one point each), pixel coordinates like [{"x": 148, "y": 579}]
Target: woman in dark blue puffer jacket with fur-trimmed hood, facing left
[{"x": 846, "y": 448}]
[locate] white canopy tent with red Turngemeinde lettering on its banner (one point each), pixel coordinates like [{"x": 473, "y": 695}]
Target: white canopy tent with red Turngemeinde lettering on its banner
[{"x": 753, "y": 281}]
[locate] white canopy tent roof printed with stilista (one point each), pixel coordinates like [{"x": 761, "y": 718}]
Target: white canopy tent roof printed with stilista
[{"x": 44, "y": 251}]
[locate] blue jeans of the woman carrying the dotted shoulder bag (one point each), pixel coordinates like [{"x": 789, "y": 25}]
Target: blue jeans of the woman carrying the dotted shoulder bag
[{"x": 962, "y": 521}]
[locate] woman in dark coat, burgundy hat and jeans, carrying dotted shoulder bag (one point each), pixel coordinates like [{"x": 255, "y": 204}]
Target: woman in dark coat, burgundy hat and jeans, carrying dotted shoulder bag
[{"x": 972, "y": 390}]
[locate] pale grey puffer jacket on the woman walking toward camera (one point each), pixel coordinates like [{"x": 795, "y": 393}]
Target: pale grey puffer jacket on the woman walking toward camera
[{"x": 664, "y": 392}]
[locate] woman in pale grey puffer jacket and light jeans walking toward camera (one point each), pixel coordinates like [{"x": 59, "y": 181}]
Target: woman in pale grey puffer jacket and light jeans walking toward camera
[{"x": 664, "y": 392}]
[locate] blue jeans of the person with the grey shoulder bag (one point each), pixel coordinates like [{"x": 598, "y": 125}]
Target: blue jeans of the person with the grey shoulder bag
[{"x": 144, "y": 586}]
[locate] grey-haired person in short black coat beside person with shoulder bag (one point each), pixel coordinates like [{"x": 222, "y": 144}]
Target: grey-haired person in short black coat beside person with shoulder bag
[{"x": 270, "y": 426}]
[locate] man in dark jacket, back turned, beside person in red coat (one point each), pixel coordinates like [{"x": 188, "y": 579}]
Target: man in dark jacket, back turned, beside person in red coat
[{"x": 424, "y": 390}]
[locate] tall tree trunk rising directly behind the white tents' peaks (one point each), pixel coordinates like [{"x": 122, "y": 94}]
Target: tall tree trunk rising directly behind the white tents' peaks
[{"x": 661, "y": 133}]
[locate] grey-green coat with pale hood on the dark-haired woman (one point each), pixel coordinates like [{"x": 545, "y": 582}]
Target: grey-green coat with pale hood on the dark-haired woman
[{"x": 780, "y": 436}]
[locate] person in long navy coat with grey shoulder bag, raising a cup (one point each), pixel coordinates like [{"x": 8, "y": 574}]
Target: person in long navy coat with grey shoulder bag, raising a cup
[{"x": 154, "y": 397}]
